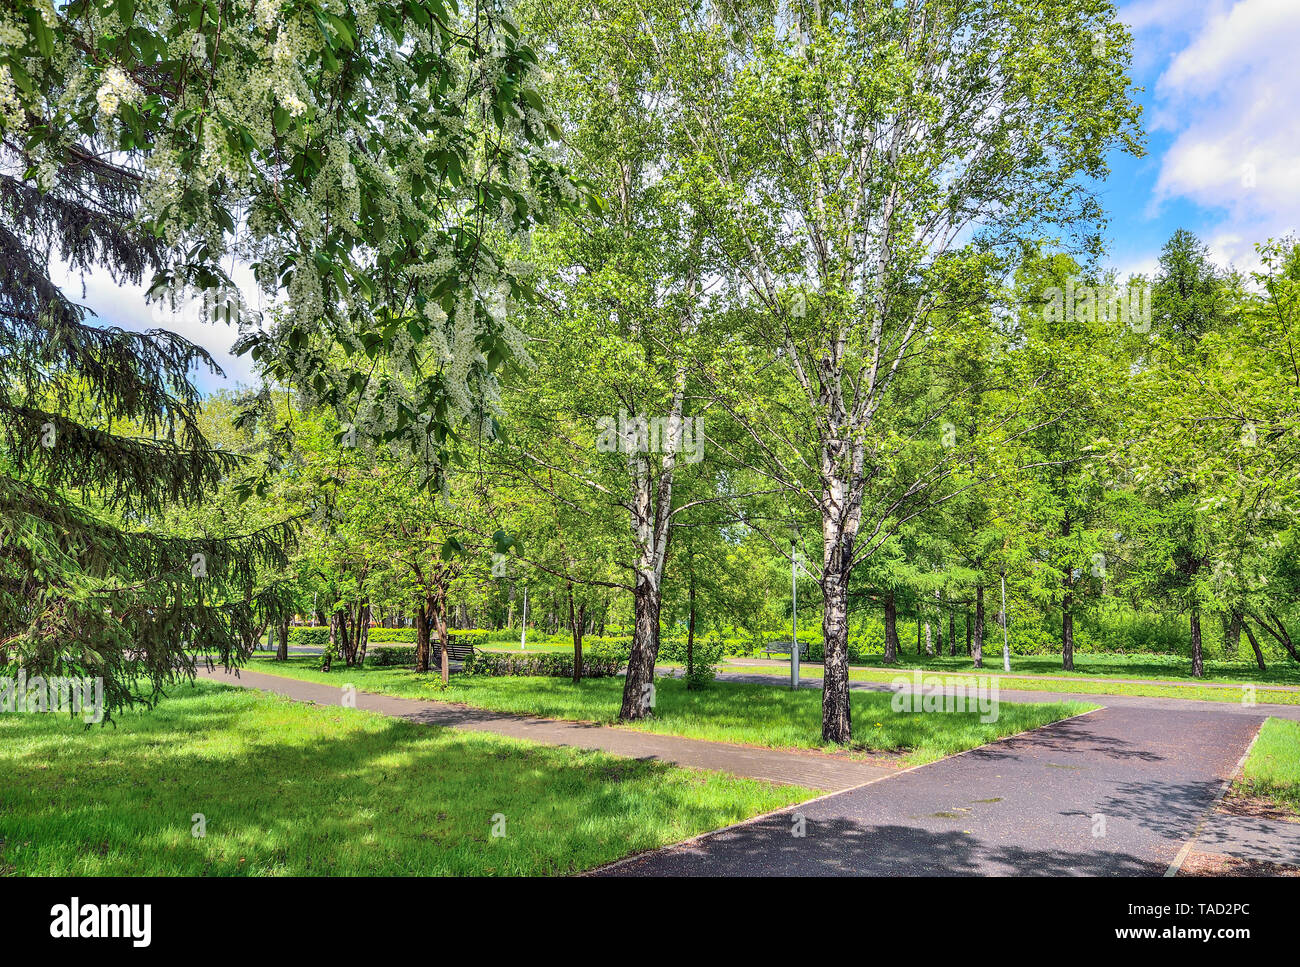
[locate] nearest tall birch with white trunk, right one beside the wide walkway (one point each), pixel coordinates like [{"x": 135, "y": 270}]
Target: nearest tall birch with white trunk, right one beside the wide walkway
[{"x": 868, "y": 168}]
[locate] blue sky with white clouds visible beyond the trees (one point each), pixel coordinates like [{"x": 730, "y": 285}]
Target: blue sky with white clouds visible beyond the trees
[{"x": 1220, "y": 88}]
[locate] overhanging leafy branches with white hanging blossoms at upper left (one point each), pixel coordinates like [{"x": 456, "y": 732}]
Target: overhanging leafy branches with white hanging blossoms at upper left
[{"x": 379, "y": 162}]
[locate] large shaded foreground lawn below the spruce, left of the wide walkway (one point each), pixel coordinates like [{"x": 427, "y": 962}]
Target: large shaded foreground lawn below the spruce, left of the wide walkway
[{"x": 298, "y": 790}]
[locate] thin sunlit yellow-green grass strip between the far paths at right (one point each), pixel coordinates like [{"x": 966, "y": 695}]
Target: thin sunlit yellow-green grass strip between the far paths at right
[{"x": 1086, "y": 686}]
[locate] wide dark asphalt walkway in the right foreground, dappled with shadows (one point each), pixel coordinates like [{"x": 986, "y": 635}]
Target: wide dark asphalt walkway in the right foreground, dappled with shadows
[{"x": 1115, "y": 792}]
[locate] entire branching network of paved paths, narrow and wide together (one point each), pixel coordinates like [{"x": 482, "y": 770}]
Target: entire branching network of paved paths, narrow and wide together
[{"x": 1120, "y": 791}]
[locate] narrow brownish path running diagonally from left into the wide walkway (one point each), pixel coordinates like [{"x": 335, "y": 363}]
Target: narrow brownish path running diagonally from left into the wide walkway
[{"x": 811, "y": 770}]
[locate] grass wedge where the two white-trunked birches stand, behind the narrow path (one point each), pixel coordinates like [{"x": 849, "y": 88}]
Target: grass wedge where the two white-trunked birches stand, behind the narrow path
[{"x": 723, "y": 713}]
